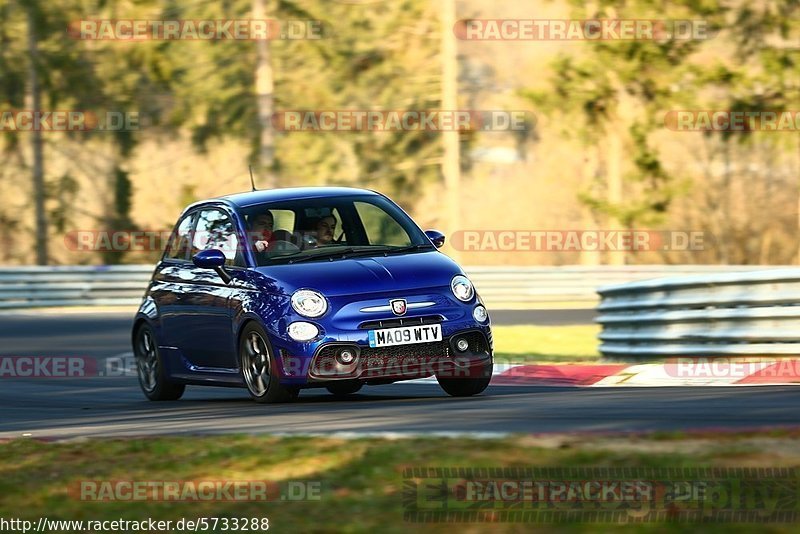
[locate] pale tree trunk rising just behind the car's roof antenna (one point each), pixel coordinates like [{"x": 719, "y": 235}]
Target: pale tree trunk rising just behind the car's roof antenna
[{"x": 264, "y": 102}]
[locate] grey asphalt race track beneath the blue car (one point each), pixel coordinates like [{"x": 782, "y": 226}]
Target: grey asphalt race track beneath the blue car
[{"x": 114, "y": 406}]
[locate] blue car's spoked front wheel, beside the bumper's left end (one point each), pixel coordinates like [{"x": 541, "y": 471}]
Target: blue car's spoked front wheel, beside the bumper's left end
[{"x": 259, "y": 367}]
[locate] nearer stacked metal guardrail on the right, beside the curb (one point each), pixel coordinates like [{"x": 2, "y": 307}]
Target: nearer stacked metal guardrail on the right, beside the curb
[{"x": 753, "y": 313}]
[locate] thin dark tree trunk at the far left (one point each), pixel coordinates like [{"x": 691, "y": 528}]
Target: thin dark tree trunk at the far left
[{"x": 34, "y": 104}]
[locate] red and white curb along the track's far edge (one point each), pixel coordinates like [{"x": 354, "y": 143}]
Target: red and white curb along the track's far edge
[{"x": 680, "y": 372}]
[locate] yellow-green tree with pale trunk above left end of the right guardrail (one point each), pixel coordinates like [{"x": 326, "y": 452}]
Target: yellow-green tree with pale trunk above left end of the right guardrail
[{"x": 613, "y": 96}]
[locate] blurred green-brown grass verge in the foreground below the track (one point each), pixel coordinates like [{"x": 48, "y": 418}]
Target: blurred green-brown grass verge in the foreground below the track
[{"x": 362, "y": 480}]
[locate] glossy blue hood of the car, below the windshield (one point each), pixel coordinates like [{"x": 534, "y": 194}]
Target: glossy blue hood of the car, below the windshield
[{"x": 365, "y": 274}]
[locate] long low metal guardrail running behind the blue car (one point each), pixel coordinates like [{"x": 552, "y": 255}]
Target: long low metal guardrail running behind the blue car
[{"x": 500, "y": 287}]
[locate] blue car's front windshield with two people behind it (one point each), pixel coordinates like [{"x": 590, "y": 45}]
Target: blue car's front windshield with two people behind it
[{"x": 325, "y": 228}]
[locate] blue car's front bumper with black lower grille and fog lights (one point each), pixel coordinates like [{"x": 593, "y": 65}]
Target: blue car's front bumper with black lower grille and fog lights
[{"x": 351, "y": 318}]
